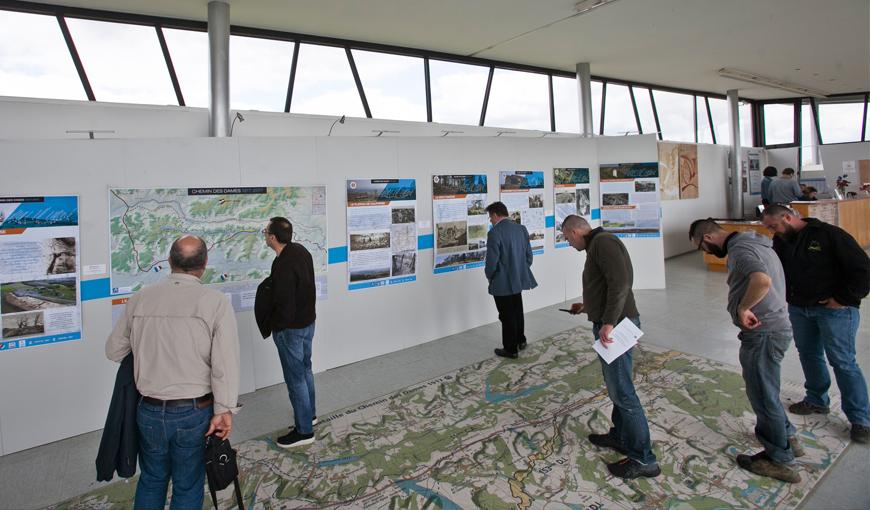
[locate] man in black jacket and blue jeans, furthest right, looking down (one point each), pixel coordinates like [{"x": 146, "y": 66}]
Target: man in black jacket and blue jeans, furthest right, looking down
[{"x": 827, "y": 275}]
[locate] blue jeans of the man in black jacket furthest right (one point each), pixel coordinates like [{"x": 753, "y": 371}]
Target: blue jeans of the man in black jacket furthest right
[{"x": 821, "y": 331}]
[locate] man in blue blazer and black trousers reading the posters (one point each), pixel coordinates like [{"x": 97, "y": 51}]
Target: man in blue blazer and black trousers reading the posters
[{"x": 509, "y": 271}]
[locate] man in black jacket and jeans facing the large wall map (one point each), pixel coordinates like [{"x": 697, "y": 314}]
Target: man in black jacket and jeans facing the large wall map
[{"x": 291, "y": 318}]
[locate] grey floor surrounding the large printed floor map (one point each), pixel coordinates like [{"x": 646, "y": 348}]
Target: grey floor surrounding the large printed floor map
[{"x": 689, "y": 316}]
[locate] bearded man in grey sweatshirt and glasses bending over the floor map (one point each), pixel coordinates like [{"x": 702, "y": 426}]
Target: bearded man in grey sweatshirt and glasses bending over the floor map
[{"x": 756, "y": 302}]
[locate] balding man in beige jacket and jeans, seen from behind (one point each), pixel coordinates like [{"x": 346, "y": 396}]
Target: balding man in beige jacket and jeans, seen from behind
[{"x": 185, "y": 349}]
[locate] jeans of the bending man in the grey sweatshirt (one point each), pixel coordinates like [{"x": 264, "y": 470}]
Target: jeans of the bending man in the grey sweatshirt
[{"x": 761, "y": 354}]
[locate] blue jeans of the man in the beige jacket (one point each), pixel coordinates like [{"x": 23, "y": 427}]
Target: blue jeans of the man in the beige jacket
[{"x": 171, "y": 446}]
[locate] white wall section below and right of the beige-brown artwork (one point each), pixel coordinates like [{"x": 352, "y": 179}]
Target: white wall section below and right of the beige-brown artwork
[{"x": 712, "y": 201}]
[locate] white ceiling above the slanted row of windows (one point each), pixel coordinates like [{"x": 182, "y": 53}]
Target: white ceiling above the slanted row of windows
[{"x": 822, "y": 44}]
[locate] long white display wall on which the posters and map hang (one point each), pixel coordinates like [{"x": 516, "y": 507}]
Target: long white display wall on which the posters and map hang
[{"x": 61, "y": 390}]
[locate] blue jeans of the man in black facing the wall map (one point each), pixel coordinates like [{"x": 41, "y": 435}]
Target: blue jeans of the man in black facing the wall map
[{"x": 294, "y": 350}]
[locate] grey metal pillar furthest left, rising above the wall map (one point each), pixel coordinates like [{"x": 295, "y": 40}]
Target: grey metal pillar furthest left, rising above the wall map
[{"x": 219, "y": 68}]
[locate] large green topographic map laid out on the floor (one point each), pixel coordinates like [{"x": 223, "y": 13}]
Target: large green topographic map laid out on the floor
[{"x": 511, "y": 435}]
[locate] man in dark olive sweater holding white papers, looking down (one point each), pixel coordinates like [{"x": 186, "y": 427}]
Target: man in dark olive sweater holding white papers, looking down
[{"x": 608, "y": 301}]
